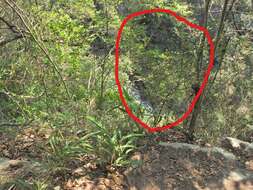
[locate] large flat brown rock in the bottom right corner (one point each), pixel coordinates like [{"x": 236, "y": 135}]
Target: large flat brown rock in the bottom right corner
[{"x": 185, "y": 166}]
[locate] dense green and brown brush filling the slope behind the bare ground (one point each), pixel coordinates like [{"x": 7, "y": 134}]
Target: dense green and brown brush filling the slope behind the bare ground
[{"x": 57, "y": 74}]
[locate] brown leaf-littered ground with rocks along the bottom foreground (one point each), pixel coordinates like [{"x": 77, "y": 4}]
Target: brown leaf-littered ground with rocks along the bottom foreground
[{"x": 162, "y": 162}]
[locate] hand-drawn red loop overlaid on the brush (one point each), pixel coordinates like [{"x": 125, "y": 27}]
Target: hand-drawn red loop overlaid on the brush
[{"x": 203, "y": 84}]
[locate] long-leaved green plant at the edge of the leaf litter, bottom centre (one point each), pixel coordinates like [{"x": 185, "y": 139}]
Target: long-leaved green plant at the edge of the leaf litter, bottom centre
[{"x": 112, "y": 145}]
